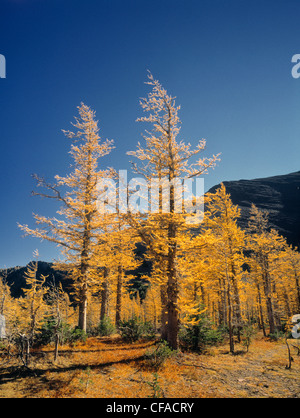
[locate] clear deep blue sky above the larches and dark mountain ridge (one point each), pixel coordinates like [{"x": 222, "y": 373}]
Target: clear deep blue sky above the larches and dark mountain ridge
[{"x": 228, "y": 62}]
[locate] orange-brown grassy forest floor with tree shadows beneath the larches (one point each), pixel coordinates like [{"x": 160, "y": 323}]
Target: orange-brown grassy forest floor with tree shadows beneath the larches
[{"x": 107, "y": 367}]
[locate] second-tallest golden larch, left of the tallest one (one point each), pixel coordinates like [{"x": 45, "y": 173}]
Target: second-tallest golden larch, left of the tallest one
[{"x": 76, "y": 230}]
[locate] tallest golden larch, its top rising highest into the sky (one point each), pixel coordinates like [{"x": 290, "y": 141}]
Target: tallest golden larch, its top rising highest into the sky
[{"x": 163, "y": 156}]
